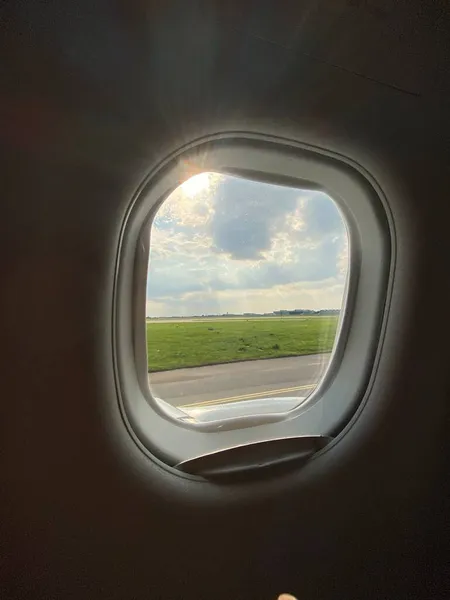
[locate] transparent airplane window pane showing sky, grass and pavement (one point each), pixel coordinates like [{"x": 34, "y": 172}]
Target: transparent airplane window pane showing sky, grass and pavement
[{"x": 245, "y": 290}]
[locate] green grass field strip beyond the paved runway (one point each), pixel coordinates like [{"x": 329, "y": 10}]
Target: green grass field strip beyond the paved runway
[{"x": 177, "y": 344}]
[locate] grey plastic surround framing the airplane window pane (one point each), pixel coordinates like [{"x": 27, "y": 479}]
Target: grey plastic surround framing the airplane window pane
[{"x": 328, "y": 409}]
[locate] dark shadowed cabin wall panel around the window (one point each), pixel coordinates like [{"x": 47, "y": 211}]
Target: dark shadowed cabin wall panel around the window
[{"x": 95, "y": 95}]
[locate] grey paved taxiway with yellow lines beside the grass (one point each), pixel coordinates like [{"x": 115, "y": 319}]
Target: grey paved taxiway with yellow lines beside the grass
[{"x": 277, "y": 377}]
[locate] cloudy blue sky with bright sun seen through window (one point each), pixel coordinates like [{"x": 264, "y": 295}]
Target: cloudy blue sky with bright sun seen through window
[{"x": 223, "y": 244}]
